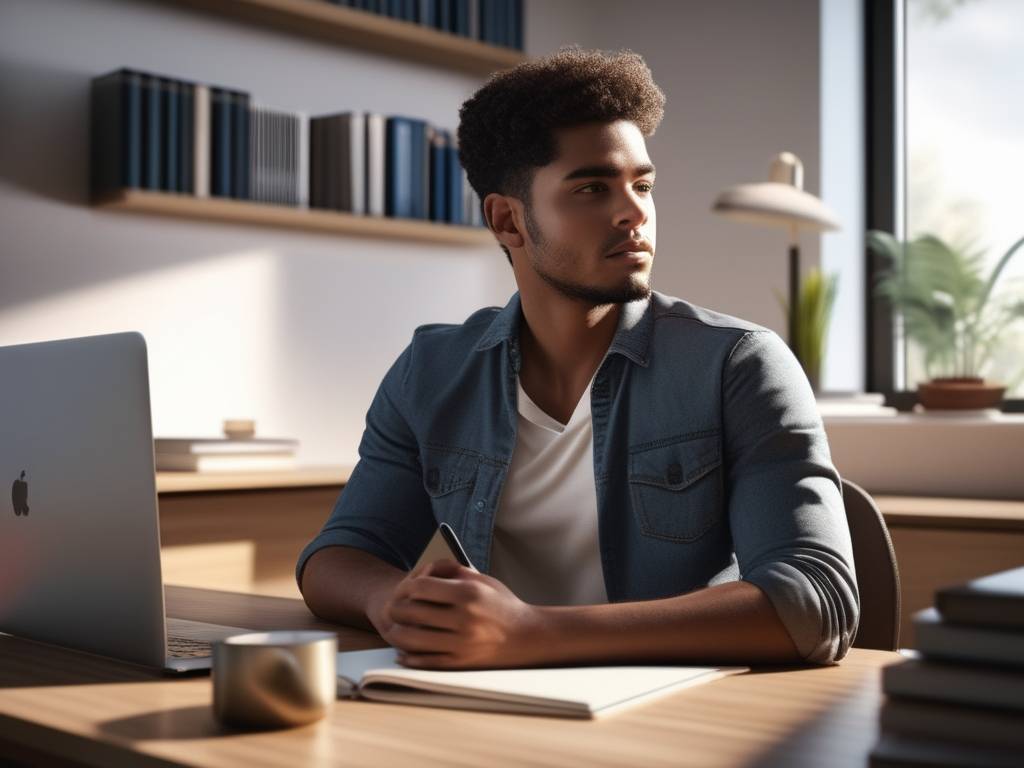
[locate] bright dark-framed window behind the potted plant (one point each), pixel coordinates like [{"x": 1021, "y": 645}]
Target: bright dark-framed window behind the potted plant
[{"x": 946, "y": 158}]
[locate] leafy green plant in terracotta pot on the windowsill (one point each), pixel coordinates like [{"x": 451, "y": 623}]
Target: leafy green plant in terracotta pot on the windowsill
[{"x": 950, "y": 312}]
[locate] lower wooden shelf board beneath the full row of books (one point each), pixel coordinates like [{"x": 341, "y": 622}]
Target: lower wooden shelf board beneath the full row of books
[{"x": 265, "y": 215}]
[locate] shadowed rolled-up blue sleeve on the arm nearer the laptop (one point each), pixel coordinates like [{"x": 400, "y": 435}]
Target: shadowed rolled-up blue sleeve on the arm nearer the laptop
[{"x": 383, "y": 509}]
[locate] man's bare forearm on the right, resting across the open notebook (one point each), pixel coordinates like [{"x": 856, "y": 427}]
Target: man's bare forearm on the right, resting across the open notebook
[{"x": 732, "y": 623}]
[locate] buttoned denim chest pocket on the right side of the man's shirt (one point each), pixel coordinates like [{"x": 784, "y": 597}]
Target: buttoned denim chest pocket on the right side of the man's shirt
[{"x": 676, "y": 489}]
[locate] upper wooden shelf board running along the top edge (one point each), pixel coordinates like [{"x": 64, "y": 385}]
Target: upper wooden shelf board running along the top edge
[{"x": 369, "y": 31}]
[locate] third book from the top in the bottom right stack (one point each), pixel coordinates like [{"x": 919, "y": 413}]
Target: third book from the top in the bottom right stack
[{"x": 977, "y": 685}]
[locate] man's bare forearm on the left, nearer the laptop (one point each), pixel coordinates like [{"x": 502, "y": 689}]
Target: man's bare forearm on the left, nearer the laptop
[{"x": 343, "y": 584}]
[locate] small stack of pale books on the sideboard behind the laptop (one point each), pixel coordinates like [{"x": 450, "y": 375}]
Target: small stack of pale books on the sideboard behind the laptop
[{"x": 225, "y": 455}]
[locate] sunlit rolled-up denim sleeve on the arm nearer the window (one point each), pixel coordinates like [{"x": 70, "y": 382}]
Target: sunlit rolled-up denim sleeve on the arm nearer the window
[{"x": 786, "y": 501}]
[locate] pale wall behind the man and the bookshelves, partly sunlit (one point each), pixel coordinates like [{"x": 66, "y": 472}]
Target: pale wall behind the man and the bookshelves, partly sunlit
[{"x": 296, "y": 330}]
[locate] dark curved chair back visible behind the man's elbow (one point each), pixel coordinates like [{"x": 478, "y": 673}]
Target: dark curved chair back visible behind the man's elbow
[{"x": 878, "y": 575}]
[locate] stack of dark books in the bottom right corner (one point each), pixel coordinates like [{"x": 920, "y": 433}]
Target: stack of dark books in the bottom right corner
[{"x": 959, "y": 701}]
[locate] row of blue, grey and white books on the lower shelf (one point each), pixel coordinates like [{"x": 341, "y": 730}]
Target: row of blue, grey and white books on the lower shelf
[{"x": 155, "y": 133}]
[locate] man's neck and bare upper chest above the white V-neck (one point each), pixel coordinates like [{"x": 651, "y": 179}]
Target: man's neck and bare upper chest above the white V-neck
[{"x": 563, "y": 344}]
